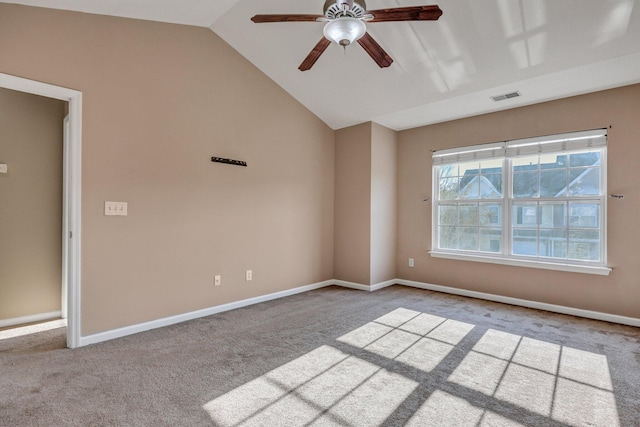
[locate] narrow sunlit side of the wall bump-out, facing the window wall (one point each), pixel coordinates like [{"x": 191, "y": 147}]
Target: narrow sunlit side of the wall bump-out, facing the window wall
[{"x": 383, "y": 203}]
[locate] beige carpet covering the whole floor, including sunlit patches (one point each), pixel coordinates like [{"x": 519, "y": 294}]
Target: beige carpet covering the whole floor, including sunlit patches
[{"x": 398, "y": 356}]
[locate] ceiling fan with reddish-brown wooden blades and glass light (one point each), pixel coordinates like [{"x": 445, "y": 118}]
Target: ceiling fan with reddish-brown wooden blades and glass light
[{"x": 346, "y": 22}]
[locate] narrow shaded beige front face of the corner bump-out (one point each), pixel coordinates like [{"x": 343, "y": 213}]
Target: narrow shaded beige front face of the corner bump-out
[{"x": 352, "y": 248}]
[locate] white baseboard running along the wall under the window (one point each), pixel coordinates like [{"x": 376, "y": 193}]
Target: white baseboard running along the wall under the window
[{"x": 596, "y": 315}]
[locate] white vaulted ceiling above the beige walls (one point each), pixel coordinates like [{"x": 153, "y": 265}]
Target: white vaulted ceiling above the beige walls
[{"x": 443, "y": 70}]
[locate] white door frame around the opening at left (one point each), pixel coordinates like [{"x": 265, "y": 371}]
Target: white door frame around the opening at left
[{"x": 72, "y": 171}]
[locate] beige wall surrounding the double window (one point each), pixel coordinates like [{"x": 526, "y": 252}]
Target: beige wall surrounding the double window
[{"x": 616, "y": 293}]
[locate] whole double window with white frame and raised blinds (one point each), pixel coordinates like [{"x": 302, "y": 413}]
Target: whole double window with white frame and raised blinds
[{"x": 538, "y": 202}]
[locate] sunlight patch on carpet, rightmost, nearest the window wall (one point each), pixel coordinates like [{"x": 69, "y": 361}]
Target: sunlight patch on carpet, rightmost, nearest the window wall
[{"x": 566, "y": 384}]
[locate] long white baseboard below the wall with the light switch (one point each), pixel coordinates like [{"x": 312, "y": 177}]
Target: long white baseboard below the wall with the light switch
[{"x": 172, "y": 320}]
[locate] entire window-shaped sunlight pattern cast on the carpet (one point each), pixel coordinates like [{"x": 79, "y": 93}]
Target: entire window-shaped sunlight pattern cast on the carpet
[{"x": 361, "y": 381}]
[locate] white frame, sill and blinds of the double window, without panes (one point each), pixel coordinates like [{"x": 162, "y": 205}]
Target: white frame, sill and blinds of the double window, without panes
[{"x": 507, "y": 151}]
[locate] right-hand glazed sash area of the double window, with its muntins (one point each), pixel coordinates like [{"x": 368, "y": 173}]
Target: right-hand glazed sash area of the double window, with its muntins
[{"x": 556, "y": 201}]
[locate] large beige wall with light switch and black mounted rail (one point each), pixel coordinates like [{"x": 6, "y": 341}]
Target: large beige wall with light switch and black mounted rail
[{"x": 158, "y": 101}]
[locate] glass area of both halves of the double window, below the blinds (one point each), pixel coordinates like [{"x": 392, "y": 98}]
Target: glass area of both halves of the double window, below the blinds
[{"x": 554, "y": 213}]
